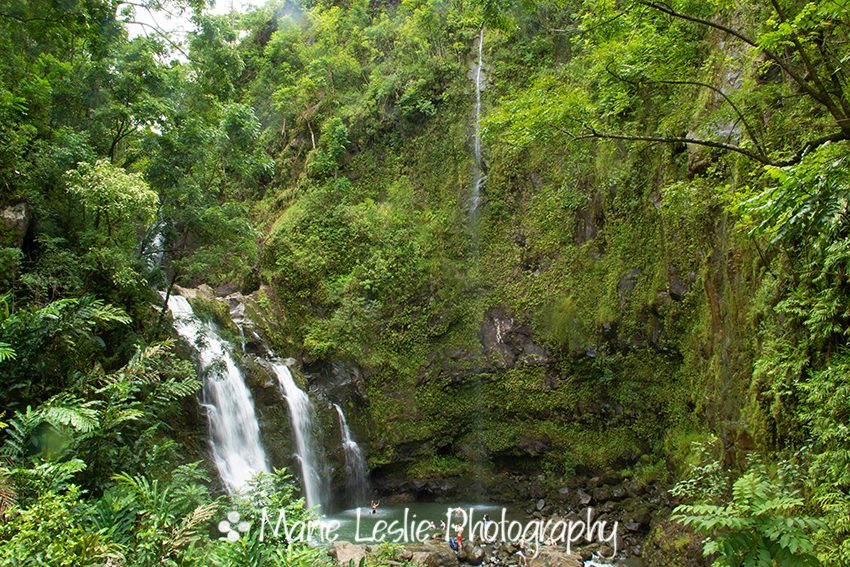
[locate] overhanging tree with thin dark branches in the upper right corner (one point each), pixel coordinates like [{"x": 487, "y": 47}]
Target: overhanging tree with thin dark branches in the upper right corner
[{"x": 806, "y": 41}]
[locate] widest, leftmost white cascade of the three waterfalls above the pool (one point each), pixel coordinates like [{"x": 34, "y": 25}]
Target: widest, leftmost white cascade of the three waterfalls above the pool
[{"x": 234, "y": 431}]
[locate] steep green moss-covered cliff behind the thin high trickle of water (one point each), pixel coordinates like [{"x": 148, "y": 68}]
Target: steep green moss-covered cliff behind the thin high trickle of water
[{"x": 608, "y": 304}]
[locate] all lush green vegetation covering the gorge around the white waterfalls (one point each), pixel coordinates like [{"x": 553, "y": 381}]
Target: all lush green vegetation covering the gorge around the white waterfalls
[{"x": 661, "y": 256}]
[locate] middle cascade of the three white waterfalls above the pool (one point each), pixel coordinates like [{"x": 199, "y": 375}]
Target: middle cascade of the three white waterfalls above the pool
[{"x": 301, "y": 415}]
